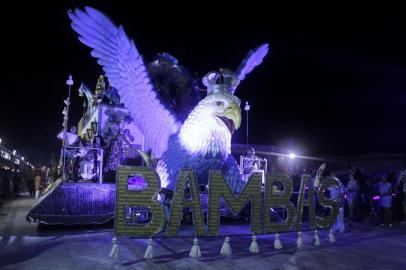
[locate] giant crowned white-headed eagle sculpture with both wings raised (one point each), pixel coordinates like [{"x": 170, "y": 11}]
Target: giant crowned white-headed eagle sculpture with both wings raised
[{"x": 203, "y": 141}]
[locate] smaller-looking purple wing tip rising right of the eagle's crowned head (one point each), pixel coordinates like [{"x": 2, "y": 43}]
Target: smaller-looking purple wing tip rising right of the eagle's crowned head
[{"x": 253, "y": 59}]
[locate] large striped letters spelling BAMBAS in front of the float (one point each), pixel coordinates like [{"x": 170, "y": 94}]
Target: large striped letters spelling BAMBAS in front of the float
[{"x": 277, "y": 193}]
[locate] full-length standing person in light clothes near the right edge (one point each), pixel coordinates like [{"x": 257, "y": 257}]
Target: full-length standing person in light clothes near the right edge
[{"x": 385, "y": 193}]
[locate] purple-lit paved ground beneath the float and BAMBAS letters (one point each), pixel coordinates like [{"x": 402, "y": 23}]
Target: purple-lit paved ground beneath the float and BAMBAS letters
[{"x": 27, "y": 246}]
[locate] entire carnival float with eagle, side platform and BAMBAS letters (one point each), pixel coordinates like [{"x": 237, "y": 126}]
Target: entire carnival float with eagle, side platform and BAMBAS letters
[{"x": 154, "y": 148}]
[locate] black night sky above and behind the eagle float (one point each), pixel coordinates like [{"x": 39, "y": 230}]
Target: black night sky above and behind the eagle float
[{"x": 334, "y": 84}]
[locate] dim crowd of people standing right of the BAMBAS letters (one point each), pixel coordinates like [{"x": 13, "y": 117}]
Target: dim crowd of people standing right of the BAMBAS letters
[{"x": 370, "y": 197}]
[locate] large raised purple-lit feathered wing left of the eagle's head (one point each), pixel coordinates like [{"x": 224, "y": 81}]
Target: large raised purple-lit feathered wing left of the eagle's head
[{"x": 126, "y": 71}]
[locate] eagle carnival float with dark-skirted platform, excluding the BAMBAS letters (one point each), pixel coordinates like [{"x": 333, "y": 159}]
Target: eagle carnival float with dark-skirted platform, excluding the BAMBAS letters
[{"x": 157, "y": 115}]
